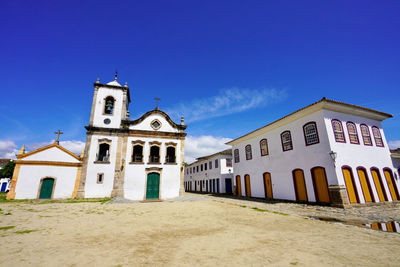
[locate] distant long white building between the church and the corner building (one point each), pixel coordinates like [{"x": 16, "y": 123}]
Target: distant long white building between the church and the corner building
[{"x": 213, "y": 173}]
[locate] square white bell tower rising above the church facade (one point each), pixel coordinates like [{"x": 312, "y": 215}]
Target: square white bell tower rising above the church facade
[{"x": 110, "y": 104}]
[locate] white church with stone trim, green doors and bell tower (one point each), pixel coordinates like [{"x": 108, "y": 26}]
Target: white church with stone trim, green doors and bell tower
[{"x": 138, "y": 159}]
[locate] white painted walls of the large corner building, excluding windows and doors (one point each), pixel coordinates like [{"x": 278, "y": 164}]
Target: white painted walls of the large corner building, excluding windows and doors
[{"x": 280, "y": 164}]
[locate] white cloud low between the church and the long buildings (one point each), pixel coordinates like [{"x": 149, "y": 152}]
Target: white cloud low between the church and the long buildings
[{"x": 198, "y": 146}]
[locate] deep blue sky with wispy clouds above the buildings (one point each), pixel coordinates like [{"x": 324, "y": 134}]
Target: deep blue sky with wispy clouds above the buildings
[{"x": 228, "y": 66}]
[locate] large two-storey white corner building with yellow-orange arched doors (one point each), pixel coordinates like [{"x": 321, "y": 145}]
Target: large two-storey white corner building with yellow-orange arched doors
[{"x": 327, "y": 152}]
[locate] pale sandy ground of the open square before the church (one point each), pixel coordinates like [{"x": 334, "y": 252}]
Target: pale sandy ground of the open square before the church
[{"x": 199, "y": 233}]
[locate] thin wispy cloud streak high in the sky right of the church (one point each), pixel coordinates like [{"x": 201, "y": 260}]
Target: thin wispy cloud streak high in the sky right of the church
[{"x": 228, "y": 101}]
